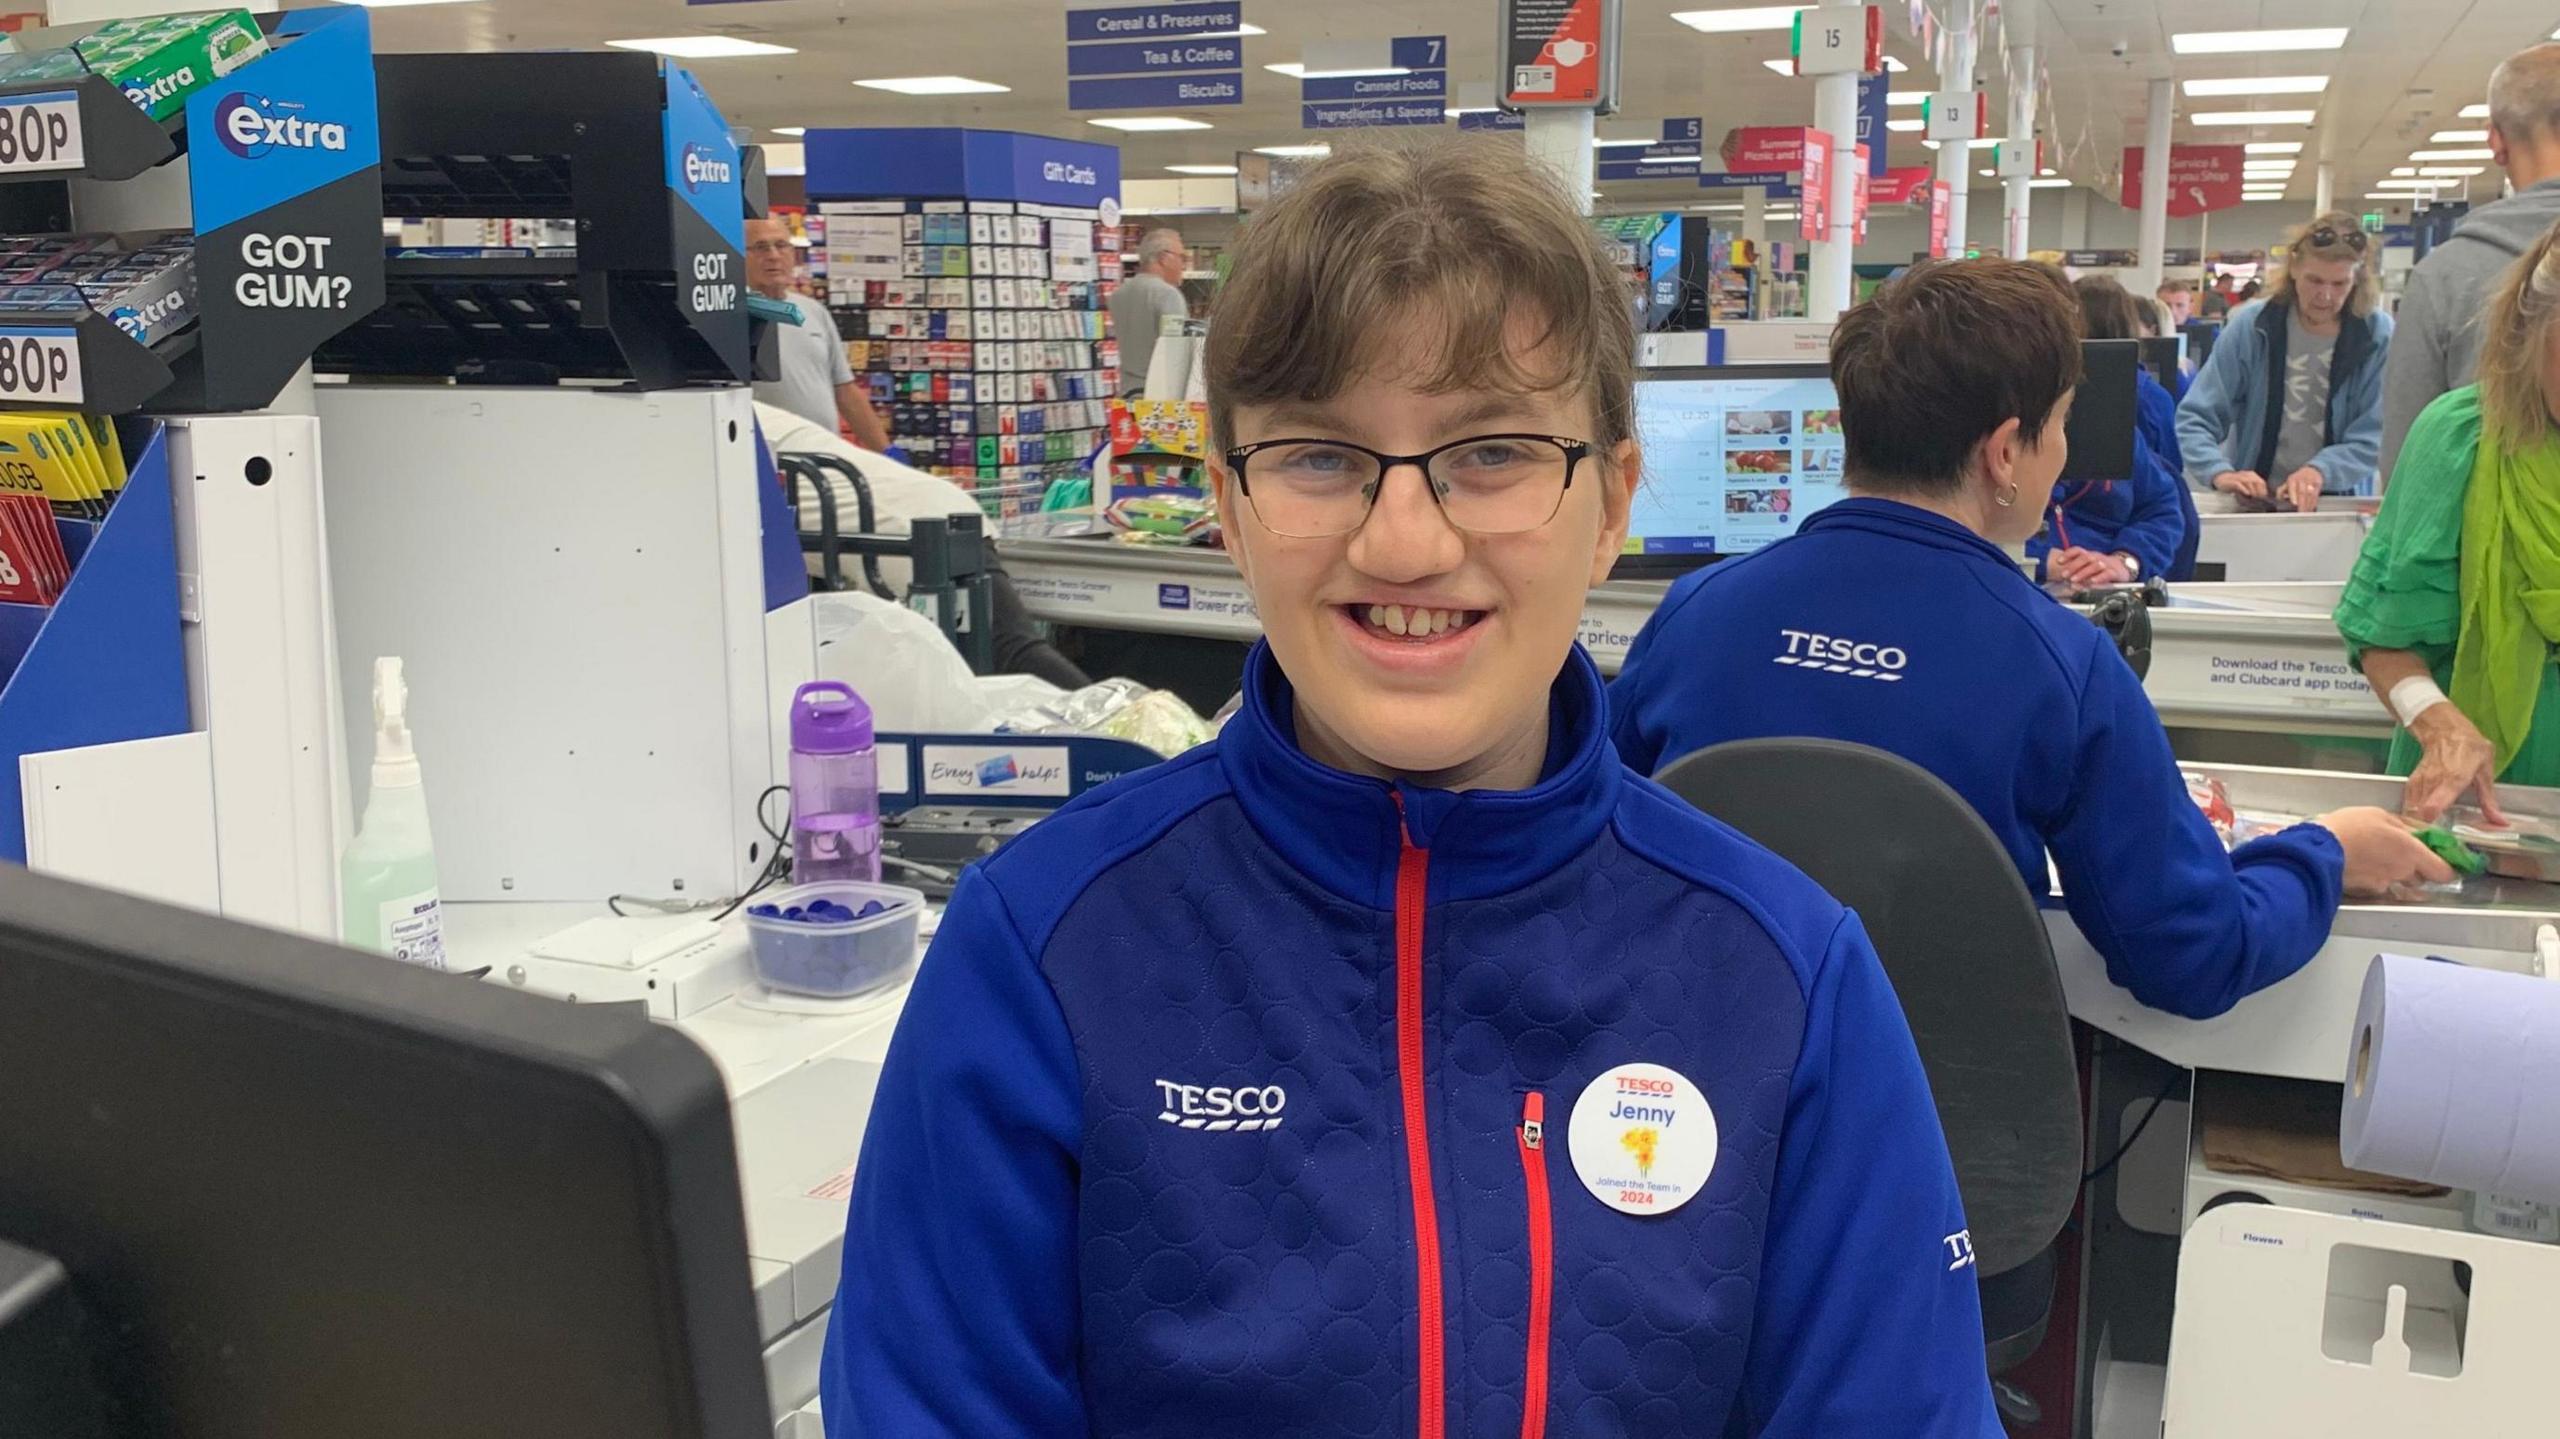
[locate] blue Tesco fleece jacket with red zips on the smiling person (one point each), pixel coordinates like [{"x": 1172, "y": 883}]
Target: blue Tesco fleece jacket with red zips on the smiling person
[{"x": 1217, "y": 1110}]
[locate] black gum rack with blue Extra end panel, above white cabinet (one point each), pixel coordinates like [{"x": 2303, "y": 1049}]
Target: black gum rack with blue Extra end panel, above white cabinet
[{"x": 621, "y": 147}]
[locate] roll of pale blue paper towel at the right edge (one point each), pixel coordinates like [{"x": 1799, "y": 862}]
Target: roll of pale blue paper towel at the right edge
[{"x": 2454, "y": 1077}]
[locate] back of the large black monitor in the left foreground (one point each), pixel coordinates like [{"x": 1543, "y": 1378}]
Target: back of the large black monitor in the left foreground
[{"x": 314, "y": 1194}]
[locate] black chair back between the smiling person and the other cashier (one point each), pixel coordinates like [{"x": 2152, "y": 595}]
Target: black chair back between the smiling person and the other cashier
[{"x": 1967, "y": 954}]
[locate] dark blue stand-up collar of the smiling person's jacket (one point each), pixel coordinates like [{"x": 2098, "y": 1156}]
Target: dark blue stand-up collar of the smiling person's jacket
[{"x": 1348, "y": 831}]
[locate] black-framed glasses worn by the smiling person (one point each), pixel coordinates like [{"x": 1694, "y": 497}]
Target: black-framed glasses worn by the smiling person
[{"x": 1486, "y": 485}]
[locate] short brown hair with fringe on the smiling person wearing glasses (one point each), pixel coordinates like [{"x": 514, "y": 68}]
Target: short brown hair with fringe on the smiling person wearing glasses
[{"x": 1450, "y": 234}]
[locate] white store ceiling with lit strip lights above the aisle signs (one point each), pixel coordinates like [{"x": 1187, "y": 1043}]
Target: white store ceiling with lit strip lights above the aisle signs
[{"x": 2408, "y": 68}]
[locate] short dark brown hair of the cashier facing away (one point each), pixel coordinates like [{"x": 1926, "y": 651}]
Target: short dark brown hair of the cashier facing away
[{"x": 1944, "y": 357}]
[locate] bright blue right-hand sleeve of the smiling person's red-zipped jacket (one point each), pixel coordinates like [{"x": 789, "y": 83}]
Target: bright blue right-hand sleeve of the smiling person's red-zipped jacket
[{"x": 1870, "y": 1317}]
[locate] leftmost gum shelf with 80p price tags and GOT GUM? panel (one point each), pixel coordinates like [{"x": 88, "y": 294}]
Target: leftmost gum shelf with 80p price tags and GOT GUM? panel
[{"x": 278, "y": 250}]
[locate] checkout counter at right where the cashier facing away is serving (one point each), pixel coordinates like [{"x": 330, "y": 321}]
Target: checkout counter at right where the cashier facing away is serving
[{"x": 2164, "y": 1223}]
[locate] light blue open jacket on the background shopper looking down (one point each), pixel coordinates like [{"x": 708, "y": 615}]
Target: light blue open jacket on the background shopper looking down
[{"x": 2234, "y": 408}]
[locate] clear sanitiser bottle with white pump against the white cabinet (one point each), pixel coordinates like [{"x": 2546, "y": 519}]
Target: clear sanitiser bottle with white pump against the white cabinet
[{"x": 388, "y": 877}]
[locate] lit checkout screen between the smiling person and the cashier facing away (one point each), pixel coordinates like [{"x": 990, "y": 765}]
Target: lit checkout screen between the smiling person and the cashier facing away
[{"x": 1734, "y": 460}]
